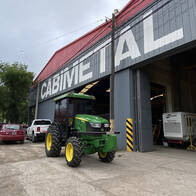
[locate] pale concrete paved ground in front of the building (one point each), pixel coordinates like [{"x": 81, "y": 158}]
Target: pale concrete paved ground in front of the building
[{"x": 25, "y": 170}]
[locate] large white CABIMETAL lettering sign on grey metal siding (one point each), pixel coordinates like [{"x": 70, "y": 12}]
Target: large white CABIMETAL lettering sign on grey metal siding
[{"x": 138, "y": 40}]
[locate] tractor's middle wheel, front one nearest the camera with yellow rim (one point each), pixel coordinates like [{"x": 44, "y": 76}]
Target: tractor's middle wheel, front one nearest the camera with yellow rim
[{"x": 73, "y": 160}]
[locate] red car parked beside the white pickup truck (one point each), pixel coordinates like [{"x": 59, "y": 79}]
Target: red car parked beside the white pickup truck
[{"x": 11, "y": 132}]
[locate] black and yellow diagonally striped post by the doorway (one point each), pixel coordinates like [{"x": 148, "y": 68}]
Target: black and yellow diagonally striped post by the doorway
[{"x": 129, "y": 130}]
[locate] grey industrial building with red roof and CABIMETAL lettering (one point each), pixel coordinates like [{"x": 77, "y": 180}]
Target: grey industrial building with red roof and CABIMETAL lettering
[{"x": 155, "y": 68}]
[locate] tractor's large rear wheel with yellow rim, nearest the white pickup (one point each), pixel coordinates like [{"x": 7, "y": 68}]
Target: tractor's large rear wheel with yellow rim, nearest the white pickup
[{"x": 55, "y": 132}]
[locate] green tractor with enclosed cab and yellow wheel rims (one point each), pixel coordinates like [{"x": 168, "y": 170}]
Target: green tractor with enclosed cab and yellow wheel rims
[{"x": 81, "y": 132}]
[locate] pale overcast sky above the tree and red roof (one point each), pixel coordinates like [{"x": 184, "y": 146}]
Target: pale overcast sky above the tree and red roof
[{"x": 31, "y": 30}]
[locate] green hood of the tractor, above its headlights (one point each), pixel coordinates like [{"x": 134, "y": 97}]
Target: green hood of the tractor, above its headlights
[{"x": 91, "y": 118}]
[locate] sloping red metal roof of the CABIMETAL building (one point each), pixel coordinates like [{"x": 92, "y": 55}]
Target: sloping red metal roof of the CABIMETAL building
[{"x": 73, "y": 49}]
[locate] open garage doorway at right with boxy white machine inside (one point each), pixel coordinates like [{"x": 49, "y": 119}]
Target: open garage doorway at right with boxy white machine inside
[{"x": 173, "y": 99}]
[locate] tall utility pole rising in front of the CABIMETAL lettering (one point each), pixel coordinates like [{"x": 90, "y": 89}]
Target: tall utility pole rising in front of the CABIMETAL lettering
[{"x": 112, "y": 124}]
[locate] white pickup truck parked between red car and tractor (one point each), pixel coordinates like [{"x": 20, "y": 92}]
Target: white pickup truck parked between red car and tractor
[{"x": 38, "y": 129}]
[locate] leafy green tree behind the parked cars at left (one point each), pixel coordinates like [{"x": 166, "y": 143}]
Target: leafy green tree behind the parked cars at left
[{"x": 15, "y": 82}]
